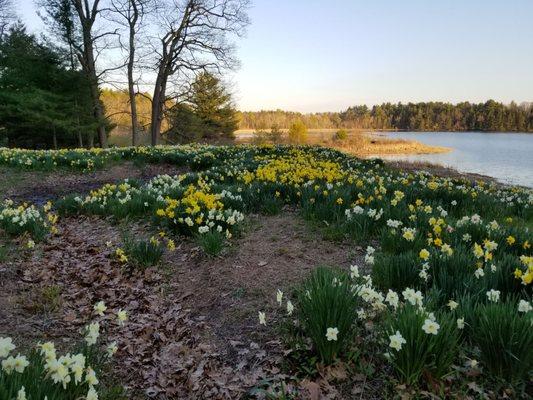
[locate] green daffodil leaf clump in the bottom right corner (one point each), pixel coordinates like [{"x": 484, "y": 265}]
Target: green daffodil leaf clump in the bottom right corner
[{"x": 505, "y": 338}]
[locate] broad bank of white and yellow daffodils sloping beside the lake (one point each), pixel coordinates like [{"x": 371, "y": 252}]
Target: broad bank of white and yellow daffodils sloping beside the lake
[{"x": 451, "y": 260}]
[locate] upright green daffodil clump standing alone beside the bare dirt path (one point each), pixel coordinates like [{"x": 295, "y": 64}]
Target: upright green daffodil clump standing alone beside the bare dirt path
[{"x": 326, "y": 306}]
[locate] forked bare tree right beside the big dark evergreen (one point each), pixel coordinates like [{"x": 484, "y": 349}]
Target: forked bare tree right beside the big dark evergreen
[{"x": 74, "y": 21}]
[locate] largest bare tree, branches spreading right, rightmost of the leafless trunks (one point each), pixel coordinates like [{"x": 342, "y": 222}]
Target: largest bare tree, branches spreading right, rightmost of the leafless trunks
[{"x": 194, "y": 39}]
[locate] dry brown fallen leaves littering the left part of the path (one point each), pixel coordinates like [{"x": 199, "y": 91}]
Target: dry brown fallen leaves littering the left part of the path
[{"x": 169, "y": 348}]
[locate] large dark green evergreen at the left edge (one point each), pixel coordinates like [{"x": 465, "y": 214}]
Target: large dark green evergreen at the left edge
[{"x": 42, "y": 103}]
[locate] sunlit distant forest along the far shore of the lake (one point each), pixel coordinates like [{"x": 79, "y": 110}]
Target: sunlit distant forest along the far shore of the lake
[{"x": 431, "y": 116}]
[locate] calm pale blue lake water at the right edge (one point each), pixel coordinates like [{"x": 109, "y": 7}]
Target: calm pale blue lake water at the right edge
[{"x": 508, "y": 157}]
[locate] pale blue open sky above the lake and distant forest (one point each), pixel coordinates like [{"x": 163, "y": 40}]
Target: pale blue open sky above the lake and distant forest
[{"x": 326, "y": 55}]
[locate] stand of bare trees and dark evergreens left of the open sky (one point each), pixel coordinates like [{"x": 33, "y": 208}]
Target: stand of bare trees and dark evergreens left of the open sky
[{"x": 176, "y": 48}]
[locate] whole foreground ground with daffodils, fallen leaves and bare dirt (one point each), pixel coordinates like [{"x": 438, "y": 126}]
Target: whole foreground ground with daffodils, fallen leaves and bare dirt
[{"x": 275, "y": 271}]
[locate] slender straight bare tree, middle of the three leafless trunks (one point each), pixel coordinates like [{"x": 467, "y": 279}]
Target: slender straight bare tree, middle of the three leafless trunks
[{"x": 131, "y": 14}]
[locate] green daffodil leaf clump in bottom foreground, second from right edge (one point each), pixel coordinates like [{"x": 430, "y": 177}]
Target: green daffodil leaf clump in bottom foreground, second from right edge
[{"x": 422, "y": 353}]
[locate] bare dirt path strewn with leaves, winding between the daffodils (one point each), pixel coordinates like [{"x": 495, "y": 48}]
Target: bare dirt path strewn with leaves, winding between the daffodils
[{"x": 193, "y": 329}]
